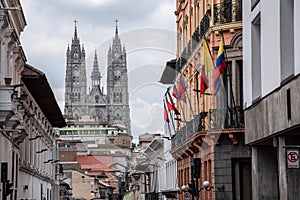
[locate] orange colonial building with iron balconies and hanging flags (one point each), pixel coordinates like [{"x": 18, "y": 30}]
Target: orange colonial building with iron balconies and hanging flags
[{"x": 209, "y": 140}]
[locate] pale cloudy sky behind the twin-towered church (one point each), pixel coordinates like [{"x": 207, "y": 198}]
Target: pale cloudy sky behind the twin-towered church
[{"x": 147, "y": 28}]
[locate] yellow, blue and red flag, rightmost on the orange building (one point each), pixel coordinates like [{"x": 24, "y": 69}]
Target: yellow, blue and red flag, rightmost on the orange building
[{"x": 220, "y": 65}]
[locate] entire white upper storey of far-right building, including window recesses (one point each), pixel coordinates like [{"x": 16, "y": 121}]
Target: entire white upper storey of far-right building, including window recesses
[{"x": 274, "y": 19}]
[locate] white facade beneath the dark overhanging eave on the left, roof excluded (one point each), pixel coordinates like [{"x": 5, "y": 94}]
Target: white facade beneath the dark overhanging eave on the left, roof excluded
[{"x": 38, "y": 153}]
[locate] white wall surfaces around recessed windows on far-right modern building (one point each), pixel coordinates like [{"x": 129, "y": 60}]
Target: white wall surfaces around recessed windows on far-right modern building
[{"x": 270, "y": 45}]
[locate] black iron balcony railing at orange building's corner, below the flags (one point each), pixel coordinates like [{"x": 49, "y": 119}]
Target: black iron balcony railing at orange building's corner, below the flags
[{"x": 226, "y": 118}]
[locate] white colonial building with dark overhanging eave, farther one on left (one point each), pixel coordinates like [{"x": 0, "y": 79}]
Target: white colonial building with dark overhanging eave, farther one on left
[{"x": 39, "y": 154}]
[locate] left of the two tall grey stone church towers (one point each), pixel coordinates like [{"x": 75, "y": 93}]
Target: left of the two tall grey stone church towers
[{"x": 75, "y": 81}]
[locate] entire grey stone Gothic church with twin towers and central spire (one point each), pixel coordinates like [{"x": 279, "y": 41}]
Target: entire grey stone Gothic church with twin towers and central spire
[{"x": 81, "y": 103}]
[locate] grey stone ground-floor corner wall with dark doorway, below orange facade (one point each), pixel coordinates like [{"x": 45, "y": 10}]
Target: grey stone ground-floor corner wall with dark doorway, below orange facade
[{"x": 229, "y": 161}]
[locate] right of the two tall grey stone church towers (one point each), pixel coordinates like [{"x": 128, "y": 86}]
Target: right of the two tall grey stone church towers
[{"x": 117, "y": 84}]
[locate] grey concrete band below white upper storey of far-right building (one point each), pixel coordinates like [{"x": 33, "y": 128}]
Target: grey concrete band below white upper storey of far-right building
[{"x": 270, "y": 115}]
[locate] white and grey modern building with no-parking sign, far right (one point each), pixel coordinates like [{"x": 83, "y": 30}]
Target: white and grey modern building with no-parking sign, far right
[{"x": 271, "y": 91}]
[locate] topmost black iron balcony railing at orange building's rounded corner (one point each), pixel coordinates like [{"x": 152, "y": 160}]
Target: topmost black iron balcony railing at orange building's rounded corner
[{"x": 227, "y": 12}]
